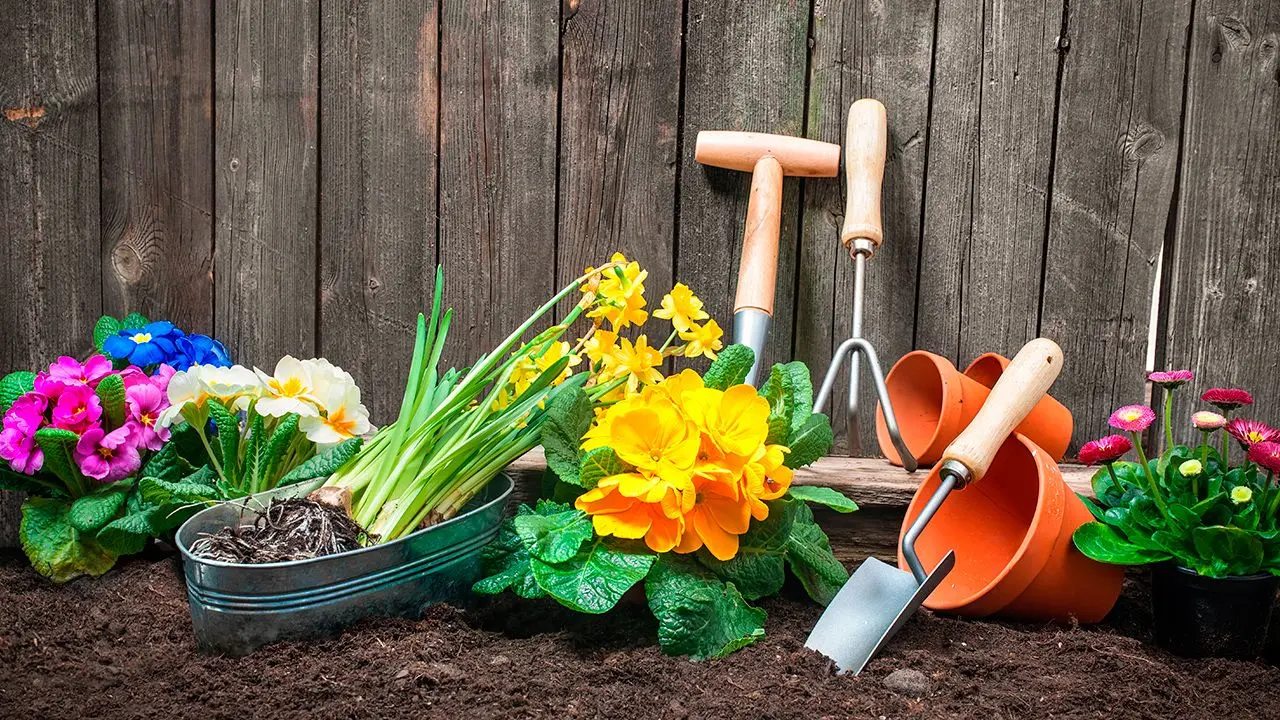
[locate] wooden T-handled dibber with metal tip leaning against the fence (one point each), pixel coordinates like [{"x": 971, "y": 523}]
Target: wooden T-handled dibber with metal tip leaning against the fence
[{"x": 769, "y": 158}]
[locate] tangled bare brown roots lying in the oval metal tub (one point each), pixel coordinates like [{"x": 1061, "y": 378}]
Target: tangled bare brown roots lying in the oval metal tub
[{"x": 290, "y": 530}]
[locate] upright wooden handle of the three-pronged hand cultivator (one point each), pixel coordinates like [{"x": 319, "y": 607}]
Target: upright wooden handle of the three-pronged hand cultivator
[{"x": 866, "y": 139}]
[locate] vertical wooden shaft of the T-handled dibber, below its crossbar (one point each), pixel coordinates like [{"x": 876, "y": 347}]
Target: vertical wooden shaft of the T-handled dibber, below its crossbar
[{"x": 758, "y": 272}]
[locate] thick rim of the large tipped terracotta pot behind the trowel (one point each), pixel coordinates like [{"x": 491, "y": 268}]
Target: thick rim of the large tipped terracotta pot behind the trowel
[{"x": 1021, "y": 569}]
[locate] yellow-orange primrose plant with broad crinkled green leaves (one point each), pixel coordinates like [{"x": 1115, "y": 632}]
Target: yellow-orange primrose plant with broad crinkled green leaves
[{"x": 683, "y": 485}]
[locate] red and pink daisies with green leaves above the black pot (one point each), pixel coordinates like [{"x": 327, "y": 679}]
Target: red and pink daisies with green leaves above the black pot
[{"x": 1188, "y": 505}]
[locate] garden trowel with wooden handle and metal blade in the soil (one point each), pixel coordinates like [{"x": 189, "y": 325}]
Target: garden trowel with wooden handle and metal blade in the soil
[{"x": 880, "y": 599}]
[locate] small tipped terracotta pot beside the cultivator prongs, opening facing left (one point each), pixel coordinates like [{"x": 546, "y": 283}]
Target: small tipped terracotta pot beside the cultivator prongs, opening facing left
[{"x": 934, "y": 403}]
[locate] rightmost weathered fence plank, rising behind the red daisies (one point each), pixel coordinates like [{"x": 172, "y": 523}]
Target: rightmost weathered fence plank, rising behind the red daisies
[{"x": 1226, "y": 266}]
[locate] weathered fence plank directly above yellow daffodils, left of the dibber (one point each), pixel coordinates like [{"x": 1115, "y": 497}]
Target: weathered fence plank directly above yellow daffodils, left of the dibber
[{"x": 620, "y": 110}]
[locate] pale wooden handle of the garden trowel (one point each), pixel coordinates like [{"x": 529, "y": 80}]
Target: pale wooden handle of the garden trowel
[{"x": 1023, "y": 385}]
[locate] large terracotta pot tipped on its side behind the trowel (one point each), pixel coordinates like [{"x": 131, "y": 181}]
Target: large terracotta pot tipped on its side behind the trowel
[{"x": 1012, "y": 534}]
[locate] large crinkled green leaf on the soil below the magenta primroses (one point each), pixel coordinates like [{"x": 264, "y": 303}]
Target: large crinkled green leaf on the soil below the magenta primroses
[{"x": 57, "y": 550}]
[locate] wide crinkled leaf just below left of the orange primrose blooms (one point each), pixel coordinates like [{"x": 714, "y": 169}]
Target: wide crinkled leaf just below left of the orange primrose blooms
[{"x": 596, "y": 577}]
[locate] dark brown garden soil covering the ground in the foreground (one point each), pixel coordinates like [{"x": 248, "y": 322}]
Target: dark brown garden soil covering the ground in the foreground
[{"x": 122, "y": 648}]
